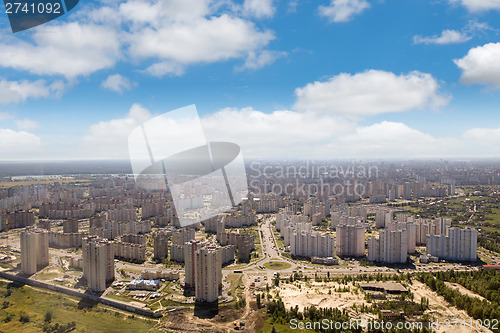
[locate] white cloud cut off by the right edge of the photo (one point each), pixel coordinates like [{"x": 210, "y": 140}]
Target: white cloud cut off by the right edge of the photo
[{"x": 481, "y": 65}]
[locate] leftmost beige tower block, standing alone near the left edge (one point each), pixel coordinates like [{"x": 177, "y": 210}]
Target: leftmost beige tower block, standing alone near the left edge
[{"x": 34, "y": 250}]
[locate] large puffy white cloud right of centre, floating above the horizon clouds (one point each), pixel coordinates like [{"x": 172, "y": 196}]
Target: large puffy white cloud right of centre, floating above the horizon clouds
[{"x": 370, "y": 93}]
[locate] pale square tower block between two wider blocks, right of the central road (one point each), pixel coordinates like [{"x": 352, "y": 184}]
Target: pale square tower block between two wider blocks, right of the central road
[{"x": 350, "y": 240}]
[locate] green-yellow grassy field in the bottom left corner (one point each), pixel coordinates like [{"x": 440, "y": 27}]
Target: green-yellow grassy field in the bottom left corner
[{"x": 25, "y": 309}]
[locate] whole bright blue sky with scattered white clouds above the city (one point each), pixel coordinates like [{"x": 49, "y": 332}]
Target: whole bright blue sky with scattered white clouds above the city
[{"x": 284, "y": 79}]
